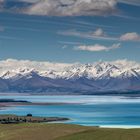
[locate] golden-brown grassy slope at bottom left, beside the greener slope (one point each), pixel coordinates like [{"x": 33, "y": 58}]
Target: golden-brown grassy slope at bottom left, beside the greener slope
[{"x": 37, "y": 131}]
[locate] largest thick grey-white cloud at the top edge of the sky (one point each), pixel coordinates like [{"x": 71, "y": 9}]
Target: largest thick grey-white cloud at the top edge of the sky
[{"x": 72, "y": 7}]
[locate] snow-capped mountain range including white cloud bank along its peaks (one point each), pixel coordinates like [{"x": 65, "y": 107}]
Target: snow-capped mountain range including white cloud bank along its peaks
[{"x": 32, "y": 76}]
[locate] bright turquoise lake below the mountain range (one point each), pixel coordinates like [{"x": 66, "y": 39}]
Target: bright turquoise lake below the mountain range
[{"x": 105, "y": 111}]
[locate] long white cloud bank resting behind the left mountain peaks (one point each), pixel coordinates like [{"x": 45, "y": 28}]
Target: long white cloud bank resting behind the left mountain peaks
[{"x": 17, "y": 65}]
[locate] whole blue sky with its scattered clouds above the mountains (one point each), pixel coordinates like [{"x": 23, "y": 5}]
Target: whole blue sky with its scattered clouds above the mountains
[{"x": 70, "y": 31}]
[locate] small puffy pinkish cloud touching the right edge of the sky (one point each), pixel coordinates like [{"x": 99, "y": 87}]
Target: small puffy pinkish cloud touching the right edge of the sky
[{"x": 130, "y": 37}]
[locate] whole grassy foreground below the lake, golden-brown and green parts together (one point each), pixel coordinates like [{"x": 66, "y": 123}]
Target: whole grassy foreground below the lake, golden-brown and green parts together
[{"x": 64, "y": 132}]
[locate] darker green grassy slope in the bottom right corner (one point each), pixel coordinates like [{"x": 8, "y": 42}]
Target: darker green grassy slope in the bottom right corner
[{"x": 105, "y": 134}]
